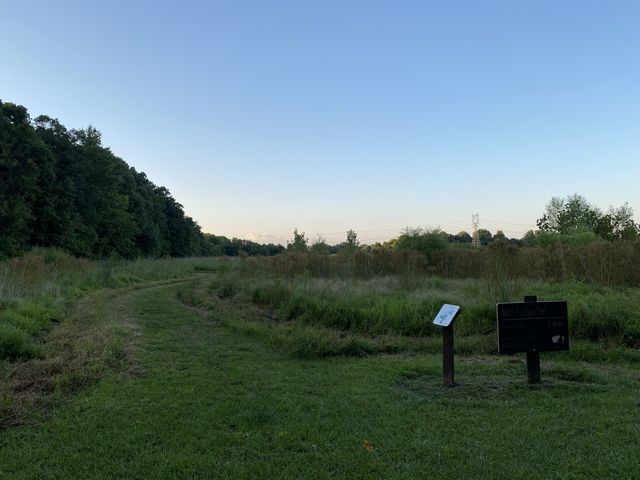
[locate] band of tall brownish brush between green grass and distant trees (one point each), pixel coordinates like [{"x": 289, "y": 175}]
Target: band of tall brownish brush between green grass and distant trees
[{"x": 607, "y": 263}]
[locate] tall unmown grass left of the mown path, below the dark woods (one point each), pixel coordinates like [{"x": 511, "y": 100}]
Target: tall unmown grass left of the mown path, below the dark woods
[{"x": 35, "y": 288}]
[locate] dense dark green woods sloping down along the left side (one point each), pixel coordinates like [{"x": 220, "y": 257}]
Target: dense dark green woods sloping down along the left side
[{"x": 63, "y": 188}]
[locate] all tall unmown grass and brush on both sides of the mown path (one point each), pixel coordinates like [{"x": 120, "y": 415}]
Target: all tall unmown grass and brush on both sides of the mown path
[{"x": 371, "y": 293}]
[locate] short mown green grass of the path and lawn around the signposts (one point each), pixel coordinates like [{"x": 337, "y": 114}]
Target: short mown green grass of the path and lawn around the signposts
[{"x": 214, "y": 403}]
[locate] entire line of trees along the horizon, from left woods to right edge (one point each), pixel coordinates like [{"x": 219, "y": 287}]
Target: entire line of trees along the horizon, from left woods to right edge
[{"x": 62, "y": 188}]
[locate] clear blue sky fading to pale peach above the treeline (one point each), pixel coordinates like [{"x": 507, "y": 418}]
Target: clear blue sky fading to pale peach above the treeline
[{"x": 265, "y": 116}]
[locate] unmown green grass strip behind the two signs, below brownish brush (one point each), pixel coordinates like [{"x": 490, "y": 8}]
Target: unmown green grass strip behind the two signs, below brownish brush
[{"x": 385, "y": 305}]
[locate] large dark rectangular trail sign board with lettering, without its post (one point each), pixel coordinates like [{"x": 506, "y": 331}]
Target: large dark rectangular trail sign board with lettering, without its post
[{"x": 532, "y": 327}]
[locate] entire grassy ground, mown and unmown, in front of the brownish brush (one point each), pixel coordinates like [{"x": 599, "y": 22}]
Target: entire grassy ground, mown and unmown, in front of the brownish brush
[{"x": 271, "y": 368}]
